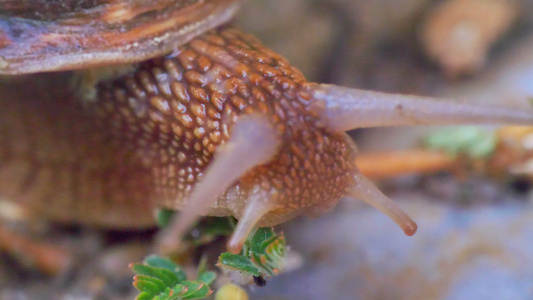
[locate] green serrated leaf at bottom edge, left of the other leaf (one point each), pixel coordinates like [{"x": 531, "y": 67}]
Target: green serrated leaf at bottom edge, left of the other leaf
[{"x": 158, "y": 278}]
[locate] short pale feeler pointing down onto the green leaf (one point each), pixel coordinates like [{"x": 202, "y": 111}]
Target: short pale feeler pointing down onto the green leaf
[{"x": 258, "y": 204}]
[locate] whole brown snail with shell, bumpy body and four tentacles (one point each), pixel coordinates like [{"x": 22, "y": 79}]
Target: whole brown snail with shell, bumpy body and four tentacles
[{"x": 127, "y": 106}]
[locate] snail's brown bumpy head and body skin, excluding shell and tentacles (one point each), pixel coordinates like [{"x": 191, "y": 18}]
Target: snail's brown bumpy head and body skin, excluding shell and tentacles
[{"x": 144, "y": 139}]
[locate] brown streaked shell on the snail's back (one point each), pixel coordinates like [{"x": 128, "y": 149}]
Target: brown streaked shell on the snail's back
[{"x": 51, "y": 35}]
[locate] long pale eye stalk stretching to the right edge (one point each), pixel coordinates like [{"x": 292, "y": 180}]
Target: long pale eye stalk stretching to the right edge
[{"x": 347, "y": 109}]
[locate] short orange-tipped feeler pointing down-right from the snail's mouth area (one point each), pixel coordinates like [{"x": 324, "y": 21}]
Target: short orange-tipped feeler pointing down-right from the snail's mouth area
[{"x": 369, "y": 193}]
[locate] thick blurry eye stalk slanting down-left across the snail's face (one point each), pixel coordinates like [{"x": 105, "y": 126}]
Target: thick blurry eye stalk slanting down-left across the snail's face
[{"x": 253, "y": 141}]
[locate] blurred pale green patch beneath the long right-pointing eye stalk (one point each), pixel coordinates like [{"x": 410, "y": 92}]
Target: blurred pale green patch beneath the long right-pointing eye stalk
[{"x": 474, "y": 142}]
